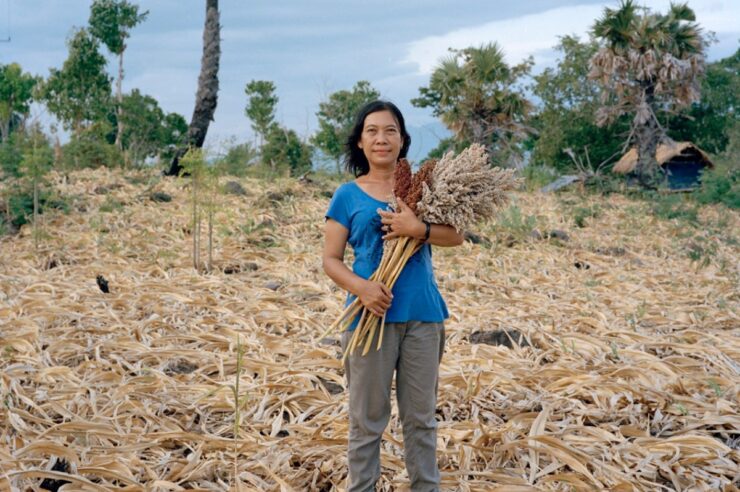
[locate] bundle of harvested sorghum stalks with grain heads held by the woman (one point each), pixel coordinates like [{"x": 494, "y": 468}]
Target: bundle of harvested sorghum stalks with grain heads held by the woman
[{"x": 456, "y": 191}]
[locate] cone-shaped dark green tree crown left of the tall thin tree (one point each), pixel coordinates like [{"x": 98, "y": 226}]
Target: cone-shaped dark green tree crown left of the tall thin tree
[{"x": 79, "y": 93}]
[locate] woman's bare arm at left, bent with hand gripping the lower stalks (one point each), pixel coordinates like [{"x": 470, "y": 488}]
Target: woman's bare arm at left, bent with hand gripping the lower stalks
[{"x": 373, "y": 295}]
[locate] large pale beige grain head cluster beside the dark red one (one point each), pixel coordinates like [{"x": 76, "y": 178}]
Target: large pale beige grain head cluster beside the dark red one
[{"x": 465, "y": 189}]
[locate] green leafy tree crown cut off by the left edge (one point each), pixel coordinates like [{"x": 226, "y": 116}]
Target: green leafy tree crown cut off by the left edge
[{"x": 16, "y": 93}]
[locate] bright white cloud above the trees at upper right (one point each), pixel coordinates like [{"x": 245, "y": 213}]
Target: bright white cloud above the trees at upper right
[{"x": 536, "y": 34}]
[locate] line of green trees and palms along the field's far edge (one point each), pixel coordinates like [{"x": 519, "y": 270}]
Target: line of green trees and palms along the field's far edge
[{"x": 639, "y": 78}]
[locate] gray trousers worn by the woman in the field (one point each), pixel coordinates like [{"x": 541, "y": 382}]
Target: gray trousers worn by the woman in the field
[{"x": 413, "y": 350}]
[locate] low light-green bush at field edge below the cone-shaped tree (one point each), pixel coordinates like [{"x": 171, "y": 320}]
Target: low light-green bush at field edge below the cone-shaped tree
[{"x": 89, "y": 149}]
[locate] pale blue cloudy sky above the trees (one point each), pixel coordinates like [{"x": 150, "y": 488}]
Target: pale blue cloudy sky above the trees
[{"x": 311, "y": 48}]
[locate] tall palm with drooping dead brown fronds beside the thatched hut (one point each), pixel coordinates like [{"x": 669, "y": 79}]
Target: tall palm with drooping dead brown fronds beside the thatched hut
[{"x": 648, "y": 63}]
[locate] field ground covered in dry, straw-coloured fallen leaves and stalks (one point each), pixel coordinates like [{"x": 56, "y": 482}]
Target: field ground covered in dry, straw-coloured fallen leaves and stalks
[{"x": 627, "y": 378}]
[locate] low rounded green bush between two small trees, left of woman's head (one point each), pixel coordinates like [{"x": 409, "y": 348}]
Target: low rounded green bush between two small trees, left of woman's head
[{"x": 283, "y": 148}]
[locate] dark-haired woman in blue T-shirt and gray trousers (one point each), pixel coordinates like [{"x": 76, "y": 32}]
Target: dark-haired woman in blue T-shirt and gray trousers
[{"x": 413, "y": 339}]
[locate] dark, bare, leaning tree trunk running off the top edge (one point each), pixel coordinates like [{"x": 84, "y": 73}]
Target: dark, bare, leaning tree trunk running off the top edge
[{"x": 207, "y": 95}]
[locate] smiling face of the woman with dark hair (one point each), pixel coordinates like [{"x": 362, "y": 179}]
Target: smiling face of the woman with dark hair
[{"x": 381, "y": 139}]
